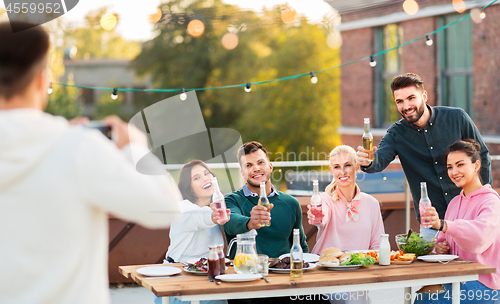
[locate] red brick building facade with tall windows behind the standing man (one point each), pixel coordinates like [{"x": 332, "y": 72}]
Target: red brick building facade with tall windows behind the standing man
[{"x": 460, "y": 68}]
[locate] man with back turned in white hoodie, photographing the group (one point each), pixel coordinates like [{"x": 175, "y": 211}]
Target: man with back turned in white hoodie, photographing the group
[{"x": 59, "y": 182}]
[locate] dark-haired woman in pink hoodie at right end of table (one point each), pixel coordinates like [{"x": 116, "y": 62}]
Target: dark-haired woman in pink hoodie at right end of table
[{"x": 470, "y": 229}]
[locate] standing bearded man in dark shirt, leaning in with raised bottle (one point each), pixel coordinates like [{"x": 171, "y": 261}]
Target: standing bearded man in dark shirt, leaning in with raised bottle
[{"x": 421, "y": 140}]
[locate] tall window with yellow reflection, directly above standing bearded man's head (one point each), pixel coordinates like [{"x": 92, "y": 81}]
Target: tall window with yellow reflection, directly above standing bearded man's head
[{"x": 388, "y": 66}]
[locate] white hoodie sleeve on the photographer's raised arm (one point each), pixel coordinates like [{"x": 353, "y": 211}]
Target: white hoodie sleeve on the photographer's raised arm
[{"x": 109, "y": 181}]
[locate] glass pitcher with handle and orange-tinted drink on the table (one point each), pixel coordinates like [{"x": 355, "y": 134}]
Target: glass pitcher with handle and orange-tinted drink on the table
[{"x": 246, "y": 259}]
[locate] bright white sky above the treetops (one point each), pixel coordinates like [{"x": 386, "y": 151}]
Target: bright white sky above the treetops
[{"x": 134, "y": 25}]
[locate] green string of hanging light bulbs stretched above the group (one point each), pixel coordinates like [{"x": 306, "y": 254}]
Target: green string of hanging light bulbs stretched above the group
[{"x": 247, "y": 85}]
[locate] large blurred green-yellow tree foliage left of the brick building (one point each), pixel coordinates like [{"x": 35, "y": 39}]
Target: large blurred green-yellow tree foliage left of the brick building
[{"x": 287, "y": 116}]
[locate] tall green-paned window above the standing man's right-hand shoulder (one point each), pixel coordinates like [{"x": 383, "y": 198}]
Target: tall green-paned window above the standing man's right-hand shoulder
[{"x": 455, "y": 63}]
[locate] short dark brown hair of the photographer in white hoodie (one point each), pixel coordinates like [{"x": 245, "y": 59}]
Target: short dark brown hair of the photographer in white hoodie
[{"x": 22, "y": 55}]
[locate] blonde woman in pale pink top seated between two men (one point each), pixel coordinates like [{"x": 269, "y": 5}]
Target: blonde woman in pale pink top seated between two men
[{"x": 351, "y": 218}]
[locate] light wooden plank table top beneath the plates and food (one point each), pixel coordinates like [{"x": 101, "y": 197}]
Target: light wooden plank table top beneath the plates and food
[{"x": 187, "y": 284}]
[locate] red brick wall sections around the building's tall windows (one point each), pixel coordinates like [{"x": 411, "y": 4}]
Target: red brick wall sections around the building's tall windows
[{"x": 357, "y": 79}]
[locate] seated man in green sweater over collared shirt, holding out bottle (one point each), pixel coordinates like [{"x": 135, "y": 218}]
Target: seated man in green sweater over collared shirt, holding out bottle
[{"x": 246, "y": 214}]
